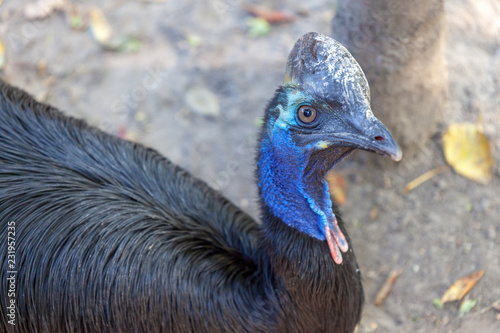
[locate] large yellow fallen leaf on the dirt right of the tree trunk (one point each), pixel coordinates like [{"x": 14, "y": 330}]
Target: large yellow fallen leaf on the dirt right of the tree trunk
[{"x": 468, "y": 151}]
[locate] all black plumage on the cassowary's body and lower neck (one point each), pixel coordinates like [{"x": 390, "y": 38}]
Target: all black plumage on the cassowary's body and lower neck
[{"x": 113, "y": 237}]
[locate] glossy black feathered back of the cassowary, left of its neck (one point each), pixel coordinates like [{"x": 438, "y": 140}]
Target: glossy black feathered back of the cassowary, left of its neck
[{"x": 111, "y": 236}]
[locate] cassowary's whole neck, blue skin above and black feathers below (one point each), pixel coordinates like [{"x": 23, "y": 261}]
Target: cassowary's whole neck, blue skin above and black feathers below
[{"x": 295, "y": 202}]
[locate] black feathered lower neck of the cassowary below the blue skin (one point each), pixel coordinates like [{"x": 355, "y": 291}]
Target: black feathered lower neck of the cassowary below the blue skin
[{"x": 305, "y": 279}]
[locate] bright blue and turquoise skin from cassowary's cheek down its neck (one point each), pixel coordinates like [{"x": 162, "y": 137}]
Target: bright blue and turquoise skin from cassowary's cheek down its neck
[{"x": 282, "y": 170}]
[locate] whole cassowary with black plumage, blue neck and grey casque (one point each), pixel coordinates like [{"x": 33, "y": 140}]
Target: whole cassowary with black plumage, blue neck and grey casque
[{"x": 112, "y": 237}]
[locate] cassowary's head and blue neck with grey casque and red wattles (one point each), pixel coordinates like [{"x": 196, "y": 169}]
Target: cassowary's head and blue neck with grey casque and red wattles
[{"x": 319, "y": 116}]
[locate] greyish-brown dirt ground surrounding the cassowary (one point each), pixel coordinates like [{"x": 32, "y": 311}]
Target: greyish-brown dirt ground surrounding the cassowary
[{"x": 444, "y": 229}]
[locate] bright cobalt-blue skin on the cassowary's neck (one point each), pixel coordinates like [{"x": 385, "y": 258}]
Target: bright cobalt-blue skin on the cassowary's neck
[{"x": 299, "y": 200}]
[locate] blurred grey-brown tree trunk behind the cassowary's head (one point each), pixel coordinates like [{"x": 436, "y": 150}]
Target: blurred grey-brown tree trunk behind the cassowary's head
[{"x": 400, "y": 44}]
